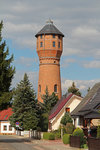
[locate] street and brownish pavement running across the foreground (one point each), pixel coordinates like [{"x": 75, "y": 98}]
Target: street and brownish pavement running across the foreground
[{"x": 19, "y": 143}]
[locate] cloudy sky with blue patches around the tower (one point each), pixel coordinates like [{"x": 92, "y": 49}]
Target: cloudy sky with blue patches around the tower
[{"x": 78, "y": 20}]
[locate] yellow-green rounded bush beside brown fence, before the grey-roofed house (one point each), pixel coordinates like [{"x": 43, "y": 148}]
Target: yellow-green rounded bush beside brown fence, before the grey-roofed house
[{"x": 79, "y": 132}]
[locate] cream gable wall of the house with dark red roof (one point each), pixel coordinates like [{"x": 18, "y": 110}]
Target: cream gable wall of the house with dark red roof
[{"x": 73, "y": 102}]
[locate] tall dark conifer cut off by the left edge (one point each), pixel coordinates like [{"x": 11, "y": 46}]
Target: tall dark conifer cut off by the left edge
[{"x": 6, "y": 73}]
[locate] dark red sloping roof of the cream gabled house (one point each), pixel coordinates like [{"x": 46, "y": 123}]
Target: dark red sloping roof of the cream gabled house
[{"x": 59, "y": 106}]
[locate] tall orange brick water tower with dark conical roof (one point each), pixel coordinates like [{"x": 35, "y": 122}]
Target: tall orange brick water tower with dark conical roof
[{"x": 49, "y": 50}]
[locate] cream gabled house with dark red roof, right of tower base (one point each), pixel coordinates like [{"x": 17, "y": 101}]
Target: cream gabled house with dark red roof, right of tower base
[{"x": 67, "y": 104}]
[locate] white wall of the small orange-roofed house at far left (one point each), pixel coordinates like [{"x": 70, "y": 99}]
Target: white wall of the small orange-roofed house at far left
[{"x": 7, "y": 124}]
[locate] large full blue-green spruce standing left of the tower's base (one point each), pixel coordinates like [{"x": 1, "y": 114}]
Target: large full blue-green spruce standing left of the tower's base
[{"x": 24, "y": 106}]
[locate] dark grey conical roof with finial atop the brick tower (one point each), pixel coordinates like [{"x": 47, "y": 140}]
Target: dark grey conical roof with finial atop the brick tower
[{"x": 49, "y": 28}]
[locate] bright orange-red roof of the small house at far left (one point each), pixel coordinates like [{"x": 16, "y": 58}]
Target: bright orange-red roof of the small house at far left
[{"x": 5, "y": 114}]
